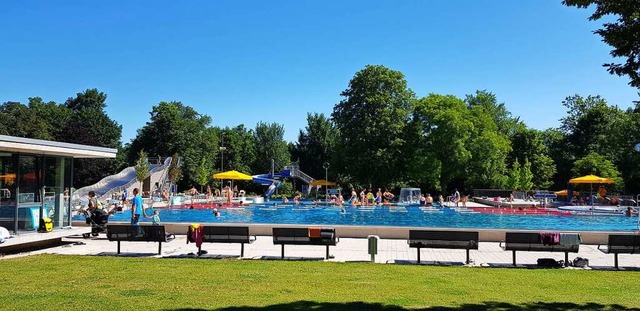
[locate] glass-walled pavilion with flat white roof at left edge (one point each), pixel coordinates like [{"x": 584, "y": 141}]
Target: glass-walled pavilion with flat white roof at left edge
[{"x": 36, "y": 180}]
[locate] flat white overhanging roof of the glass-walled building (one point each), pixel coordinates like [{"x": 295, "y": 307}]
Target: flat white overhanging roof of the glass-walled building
[{"x": 37, "y": 146}]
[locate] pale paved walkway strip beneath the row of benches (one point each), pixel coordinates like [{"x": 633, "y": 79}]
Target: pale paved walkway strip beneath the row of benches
[{"x": 489, "y": 254}]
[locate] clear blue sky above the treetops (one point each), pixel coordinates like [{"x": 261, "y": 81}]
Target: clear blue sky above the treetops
[{"x": 242, "y": 62}]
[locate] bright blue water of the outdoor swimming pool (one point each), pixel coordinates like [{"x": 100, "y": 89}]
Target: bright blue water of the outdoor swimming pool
[{"x": 410, "y": 216}]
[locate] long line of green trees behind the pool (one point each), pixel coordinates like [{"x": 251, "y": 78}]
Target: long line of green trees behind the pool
[{"x": 381, "y": 134}]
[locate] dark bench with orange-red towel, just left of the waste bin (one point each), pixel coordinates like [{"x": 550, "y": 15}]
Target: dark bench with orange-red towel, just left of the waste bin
[{"x": 304, "y": 236}]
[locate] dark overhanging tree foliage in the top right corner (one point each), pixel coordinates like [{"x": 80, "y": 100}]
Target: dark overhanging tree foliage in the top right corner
[{"x": 622, "y": 34}]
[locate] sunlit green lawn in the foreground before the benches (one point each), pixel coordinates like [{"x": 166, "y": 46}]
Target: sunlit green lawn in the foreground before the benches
[{"x": 54, "y": 282}]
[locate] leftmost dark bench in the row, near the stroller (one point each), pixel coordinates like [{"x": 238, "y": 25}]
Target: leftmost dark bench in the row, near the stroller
[{"x": 141, "y": 233}]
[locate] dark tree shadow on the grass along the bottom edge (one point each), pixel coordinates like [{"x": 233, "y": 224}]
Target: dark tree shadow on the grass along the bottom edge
[{"x": 486, "y": 306}]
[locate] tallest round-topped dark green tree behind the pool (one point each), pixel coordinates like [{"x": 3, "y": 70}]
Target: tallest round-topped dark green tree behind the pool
[{"x": 371, "y": 120}]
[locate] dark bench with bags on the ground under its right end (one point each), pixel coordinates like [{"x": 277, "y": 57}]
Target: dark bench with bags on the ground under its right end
[{"x": 530, "y": 242}]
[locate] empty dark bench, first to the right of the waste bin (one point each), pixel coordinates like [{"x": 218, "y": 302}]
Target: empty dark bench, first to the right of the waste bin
[{"x": 443, "y": 239}]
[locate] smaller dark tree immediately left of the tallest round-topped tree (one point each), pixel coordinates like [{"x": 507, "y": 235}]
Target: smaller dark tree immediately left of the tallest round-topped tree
[{"x": 315, "y": 144}]
